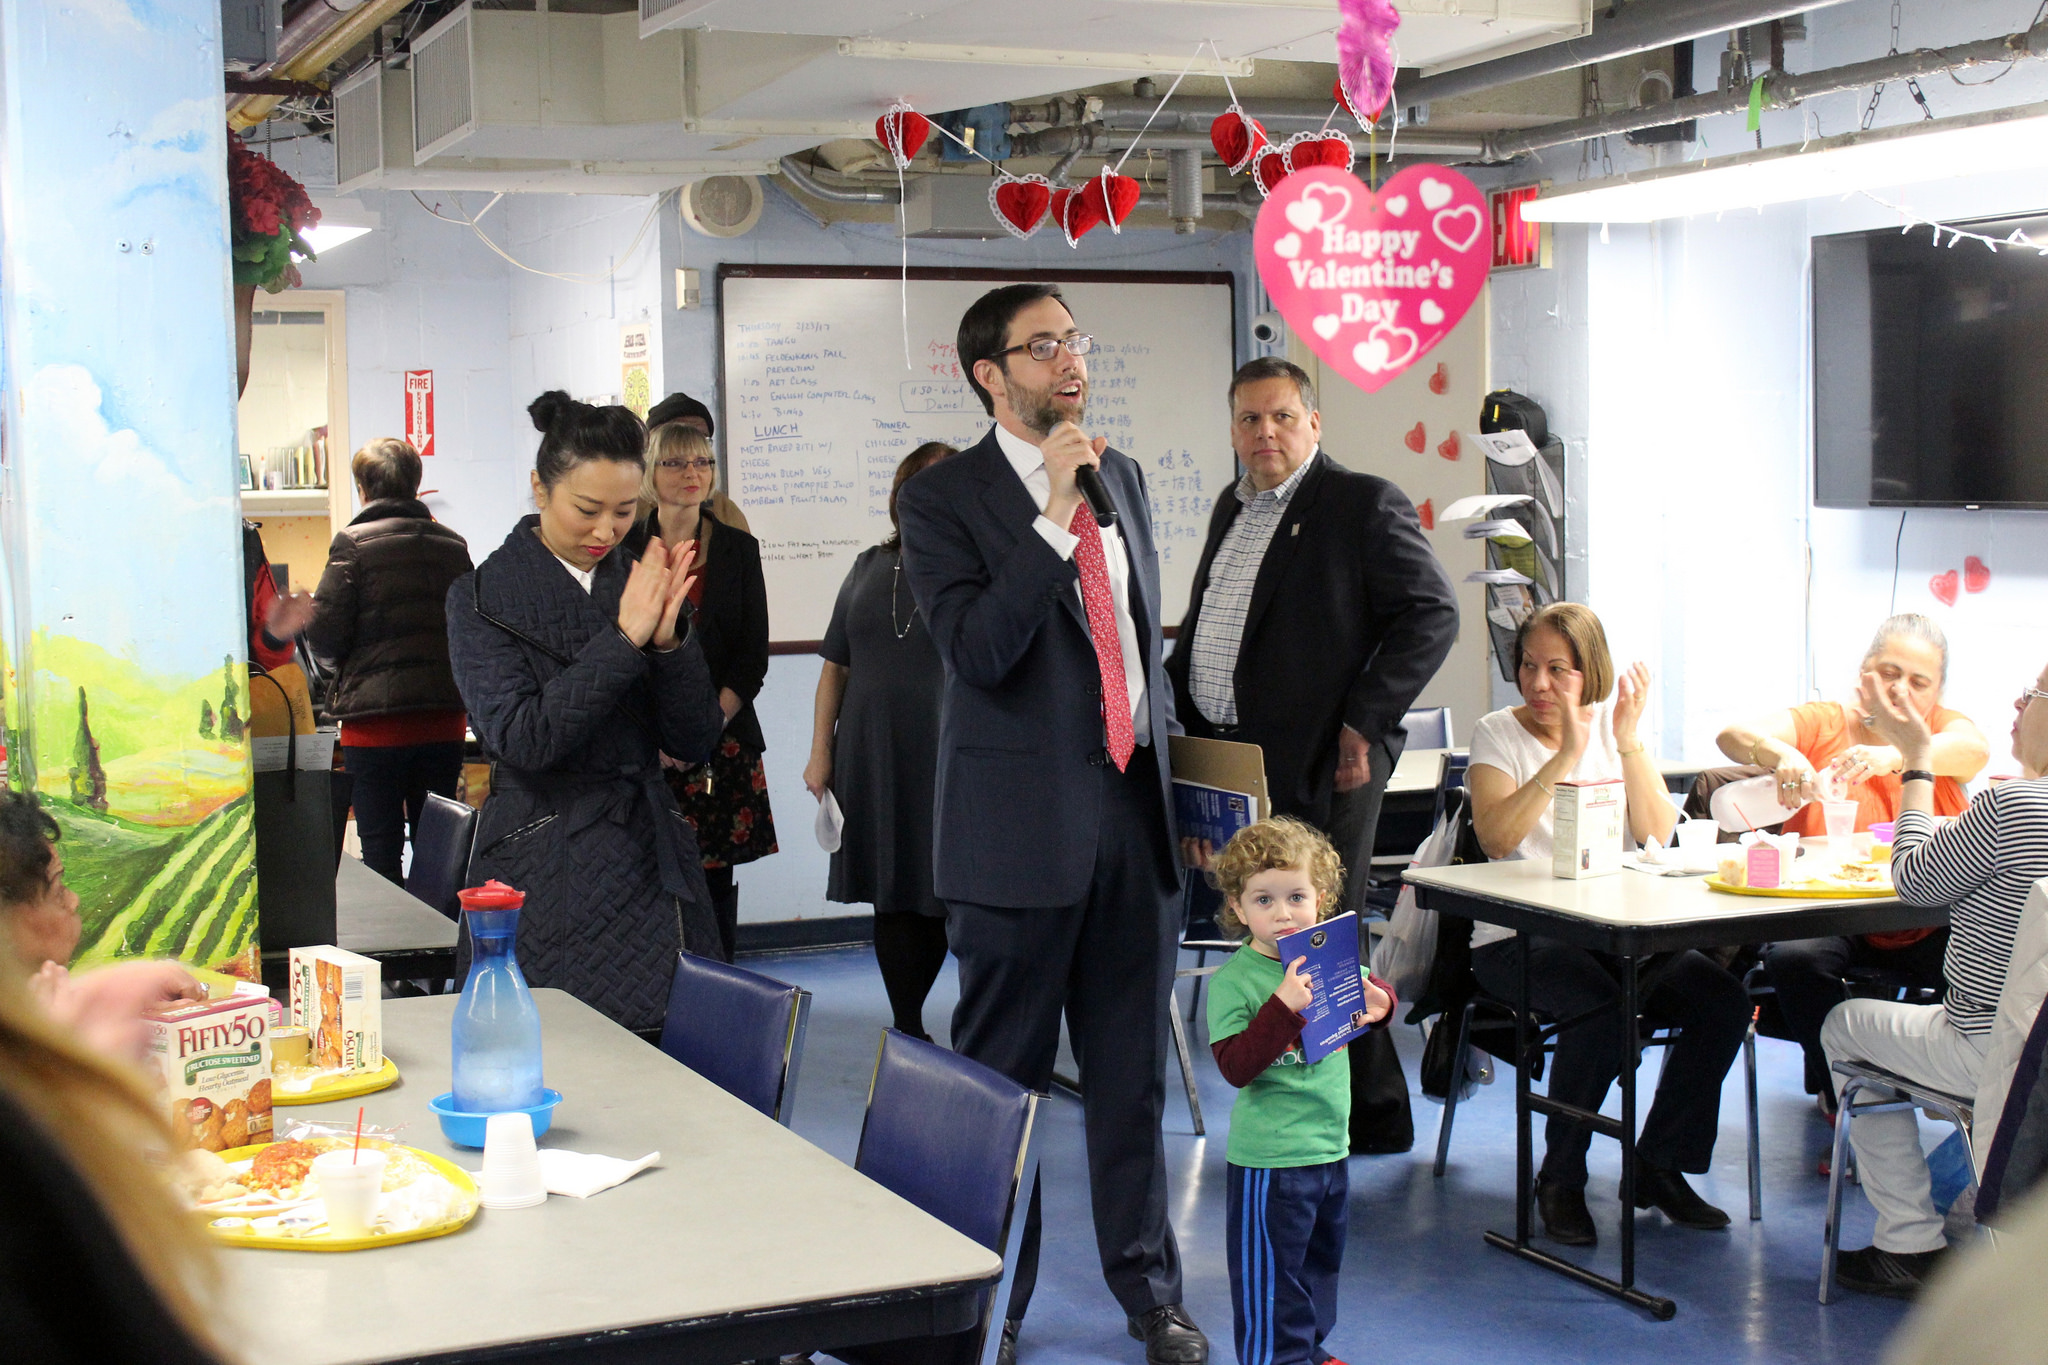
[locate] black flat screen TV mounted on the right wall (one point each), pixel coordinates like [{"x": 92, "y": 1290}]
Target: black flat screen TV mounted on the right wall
[{"x": 1930, "y": 369}]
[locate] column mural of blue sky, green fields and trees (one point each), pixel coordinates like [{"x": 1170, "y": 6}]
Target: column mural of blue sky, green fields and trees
[{"x": 126, "y": 640}]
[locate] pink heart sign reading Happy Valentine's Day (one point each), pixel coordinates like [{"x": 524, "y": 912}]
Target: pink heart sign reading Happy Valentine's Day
[{"x": 1373, "y": 281}]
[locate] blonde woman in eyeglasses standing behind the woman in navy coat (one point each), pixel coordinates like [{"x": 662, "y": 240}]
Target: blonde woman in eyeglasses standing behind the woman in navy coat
[{"x": 726, "y": 799}]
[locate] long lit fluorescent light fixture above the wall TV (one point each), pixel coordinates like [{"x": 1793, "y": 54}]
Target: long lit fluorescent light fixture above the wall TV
[{"x": 1996, "y": 140}]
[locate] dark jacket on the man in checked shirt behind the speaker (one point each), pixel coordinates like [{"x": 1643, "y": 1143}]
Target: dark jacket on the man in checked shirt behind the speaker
[{"x": 1351, "y": 617}]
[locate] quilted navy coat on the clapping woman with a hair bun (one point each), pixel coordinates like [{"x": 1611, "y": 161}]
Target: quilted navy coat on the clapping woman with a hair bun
[{"x": 574, "y": 719}]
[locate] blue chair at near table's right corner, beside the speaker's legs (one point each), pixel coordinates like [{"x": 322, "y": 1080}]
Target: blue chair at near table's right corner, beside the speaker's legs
[{"x": 955, "y": 1139}]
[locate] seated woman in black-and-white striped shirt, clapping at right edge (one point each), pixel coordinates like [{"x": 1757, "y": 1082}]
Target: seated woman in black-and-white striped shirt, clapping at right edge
[{"x": 1983, "y": 869}]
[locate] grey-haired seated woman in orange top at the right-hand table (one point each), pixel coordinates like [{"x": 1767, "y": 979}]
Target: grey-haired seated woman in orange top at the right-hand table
[{"x": 1836, "y": 740}]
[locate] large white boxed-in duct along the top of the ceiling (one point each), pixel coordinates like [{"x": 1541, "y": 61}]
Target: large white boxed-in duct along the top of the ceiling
[{"x": 732, "y": 85}]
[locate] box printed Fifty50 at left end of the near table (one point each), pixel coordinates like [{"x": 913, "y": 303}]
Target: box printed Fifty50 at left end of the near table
[{"x": 214, "y": 1059}]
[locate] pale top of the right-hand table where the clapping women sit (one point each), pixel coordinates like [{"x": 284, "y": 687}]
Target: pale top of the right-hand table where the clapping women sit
[{"x": 1633, "y": 899}]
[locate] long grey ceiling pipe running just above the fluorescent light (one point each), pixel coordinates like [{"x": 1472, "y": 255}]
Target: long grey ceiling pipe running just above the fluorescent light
[{"x": 1781, "y": 91}]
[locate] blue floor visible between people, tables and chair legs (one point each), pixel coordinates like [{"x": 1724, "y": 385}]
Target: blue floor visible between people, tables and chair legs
[{"x": 1418, "y": 1282}]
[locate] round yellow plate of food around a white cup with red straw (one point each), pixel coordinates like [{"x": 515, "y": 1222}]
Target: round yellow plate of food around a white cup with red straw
[{"x": 269, "y": 1196}]
